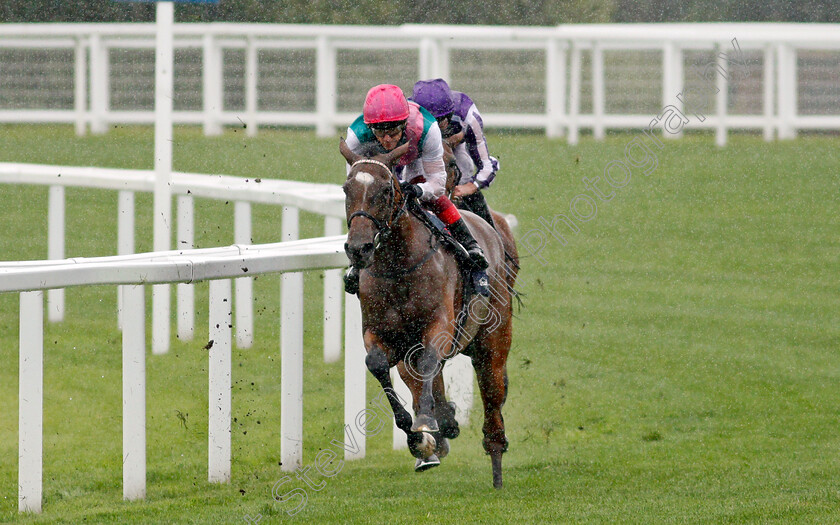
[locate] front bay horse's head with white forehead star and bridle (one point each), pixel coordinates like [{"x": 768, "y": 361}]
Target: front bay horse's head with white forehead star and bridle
[{"x": 373, "y": 198}]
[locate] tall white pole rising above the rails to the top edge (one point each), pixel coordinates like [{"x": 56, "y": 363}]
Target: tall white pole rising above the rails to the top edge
[{"x": 163, "y": 169}]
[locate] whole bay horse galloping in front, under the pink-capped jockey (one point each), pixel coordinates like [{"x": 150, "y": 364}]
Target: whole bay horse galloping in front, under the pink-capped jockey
[{"x": 414, "y": 315}]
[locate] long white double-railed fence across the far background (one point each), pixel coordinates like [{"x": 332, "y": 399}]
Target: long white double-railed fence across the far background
[{"x": 561, "y": 79}]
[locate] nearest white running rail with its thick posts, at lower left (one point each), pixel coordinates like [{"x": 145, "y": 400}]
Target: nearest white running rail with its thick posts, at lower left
[{"x": 132, "y": 272}]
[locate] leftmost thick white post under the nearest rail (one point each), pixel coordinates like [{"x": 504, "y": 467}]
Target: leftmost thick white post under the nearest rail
[{"x": 31, "y": 402}]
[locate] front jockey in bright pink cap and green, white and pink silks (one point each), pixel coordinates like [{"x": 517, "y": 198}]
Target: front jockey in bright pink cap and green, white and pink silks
[{"x": 389, "y": 120}]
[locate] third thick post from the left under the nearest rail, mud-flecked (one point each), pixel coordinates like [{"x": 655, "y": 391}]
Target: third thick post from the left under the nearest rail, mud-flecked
[{"x": 218, "y": 453}]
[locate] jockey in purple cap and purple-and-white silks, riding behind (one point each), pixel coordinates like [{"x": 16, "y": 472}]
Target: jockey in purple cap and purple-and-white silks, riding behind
[{"x": 460, "y": 123}]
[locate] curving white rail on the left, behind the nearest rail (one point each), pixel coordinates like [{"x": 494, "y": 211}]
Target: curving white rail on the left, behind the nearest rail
[{"x": 323, "y": 199}]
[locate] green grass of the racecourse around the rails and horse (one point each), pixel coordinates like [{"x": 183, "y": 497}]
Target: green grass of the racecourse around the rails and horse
[{"x": 676, "y": 361}]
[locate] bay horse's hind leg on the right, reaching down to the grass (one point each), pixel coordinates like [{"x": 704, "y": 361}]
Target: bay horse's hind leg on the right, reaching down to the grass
[{"x": 491, "y": 371}]
